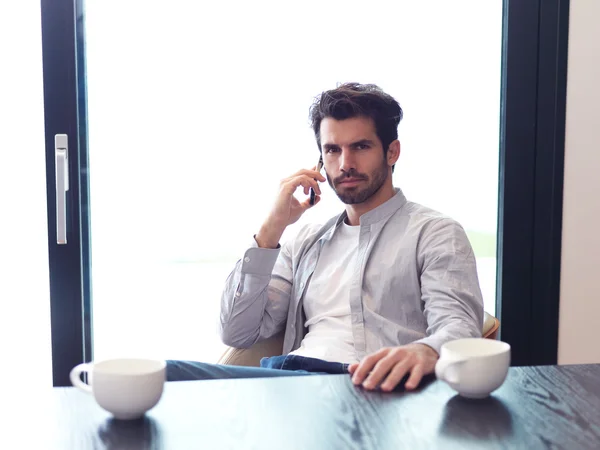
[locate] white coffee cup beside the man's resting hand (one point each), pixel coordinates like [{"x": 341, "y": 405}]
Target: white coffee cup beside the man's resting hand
[{"x": 474, "y": 367}]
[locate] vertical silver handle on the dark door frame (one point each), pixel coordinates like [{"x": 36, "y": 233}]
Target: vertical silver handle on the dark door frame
[{"x": 61, "y": 160}]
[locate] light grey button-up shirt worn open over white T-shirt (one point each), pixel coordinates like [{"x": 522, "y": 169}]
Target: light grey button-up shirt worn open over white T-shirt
[{"x": 415, "y": 281}]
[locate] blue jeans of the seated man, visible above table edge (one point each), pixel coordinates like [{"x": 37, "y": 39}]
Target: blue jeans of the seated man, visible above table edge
[{"x": 276, "y": 366}]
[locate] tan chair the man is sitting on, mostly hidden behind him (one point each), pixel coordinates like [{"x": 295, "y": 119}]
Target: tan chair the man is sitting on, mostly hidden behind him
[{"x": 274, "y": 346}]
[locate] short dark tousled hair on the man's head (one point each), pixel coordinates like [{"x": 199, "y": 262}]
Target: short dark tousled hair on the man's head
[{"x": 354, "y": 99}]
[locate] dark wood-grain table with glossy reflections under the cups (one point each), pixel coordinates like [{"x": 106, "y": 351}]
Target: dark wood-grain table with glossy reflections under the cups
[{"x": 537, "y": 407}]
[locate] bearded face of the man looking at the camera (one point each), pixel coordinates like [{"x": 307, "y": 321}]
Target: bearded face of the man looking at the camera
[{"x": 353, "y": 158}]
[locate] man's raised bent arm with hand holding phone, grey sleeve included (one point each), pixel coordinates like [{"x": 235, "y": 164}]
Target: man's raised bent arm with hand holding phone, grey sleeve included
[{"x": 256, "y": 298}]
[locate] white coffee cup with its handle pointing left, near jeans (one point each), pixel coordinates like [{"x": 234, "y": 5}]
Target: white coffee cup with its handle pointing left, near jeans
[{"x": 126, "y": 388}]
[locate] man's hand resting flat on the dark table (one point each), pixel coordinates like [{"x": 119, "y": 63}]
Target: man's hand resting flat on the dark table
[{"x": 388, "y": 366}]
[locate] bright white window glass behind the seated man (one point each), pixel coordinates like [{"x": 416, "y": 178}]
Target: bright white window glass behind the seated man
[{"x": 196, "y": 110}]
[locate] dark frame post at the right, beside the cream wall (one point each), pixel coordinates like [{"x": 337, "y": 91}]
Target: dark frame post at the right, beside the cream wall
[{"x": 530, "y": 204}]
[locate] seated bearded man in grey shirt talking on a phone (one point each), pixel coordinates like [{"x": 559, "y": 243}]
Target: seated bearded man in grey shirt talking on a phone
[{"x": 374, "y": 292}]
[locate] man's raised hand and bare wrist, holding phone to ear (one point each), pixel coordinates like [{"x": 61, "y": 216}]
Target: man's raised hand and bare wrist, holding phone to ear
[{"x": 287, "y": 209}]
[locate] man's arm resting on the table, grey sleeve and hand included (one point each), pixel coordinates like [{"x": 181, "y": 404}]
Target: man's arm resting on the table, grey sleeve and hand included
[{"x": 453, "y": 307}]
